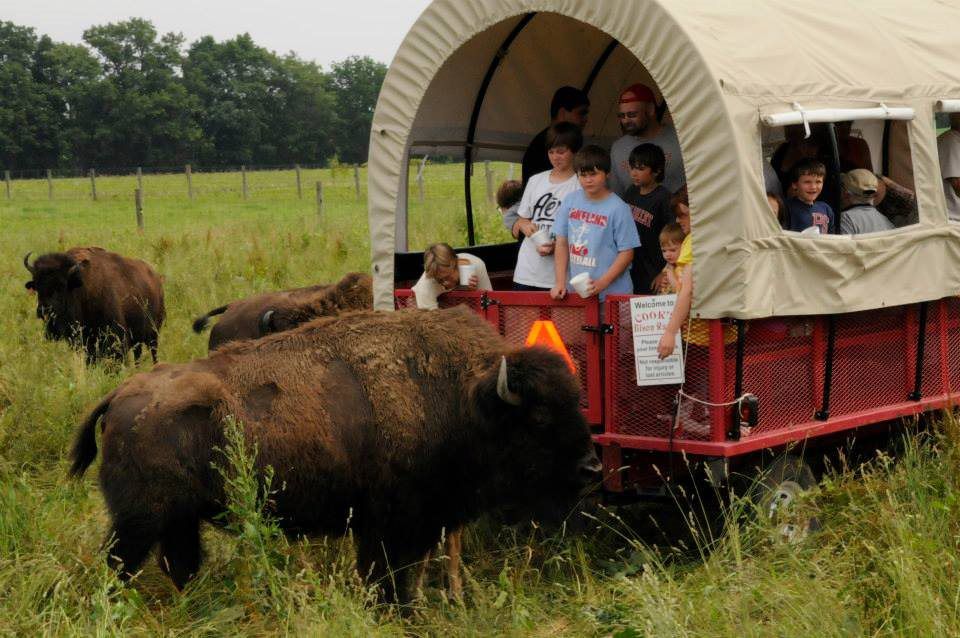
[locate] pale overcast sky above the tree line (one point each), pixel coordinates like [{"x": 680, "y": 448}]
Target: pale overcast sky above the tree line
[{"x": 320, "y": 30}]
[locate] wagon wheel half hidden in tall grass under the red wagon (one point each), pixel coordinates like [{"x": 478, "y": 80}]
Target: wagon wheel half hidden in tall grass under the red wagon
[{"x": 776, "y": 490}]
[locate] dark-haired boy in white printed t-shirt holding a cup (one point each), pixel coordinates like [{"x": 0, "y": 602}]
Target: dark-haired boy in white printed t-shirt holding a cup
[{"x": 538, "y": 207}]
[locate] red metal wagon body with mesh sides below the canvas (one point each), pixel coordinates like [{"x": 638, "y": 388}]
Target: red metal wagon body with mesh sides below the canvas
[{"x": 877, "y": 366}]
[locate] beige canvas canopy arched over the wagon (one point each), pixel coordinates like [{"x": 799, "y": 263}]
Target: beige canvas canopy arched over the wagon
[{"x": 722, "y": 68}]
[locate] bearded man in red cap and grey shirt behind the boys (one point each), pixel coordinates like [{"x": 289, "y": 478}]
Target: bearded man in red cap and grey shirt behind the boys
[{"x": 637, "y": 114}]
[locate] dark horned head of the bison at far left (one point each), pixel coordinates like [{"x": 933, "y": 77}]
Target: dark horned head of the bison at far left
[{"x": 56, "y": 278}]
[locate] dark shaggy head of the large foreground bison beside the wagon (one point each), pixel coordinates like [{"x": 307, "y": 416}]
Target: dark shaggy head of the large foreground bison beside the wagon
[{"x": 542, "y": 459}]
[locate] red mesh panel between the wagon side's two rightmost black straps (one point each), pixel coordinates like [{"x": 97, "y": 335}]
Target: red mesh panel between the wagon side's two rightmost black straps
[{"x": 870, "y": 360}]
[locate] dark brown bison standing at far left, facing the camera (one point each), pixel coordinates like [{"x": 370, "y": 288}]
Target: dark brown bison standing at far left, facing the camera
[{"x": 98, "y": 300}]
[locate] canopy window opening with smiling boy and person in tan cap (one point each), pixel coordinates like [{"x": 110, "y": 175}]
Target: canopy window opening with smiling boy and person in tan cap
[{"x": 873, "y": 190}]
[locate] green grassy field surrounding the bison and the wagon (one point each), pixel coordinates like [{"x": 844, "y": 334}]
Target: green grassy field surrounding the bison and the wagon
[{"x": 886, "y": 563}]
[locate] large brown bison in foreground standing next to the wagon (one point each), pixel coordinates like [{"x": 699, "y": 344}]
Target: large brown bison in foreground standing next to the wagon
[{"x": 402, "y": 424}]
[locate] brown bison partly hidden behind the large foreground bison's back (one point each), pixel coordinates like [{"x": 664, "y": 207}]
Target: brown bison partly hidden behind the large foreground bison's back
[{"x": 260, "y": 315}]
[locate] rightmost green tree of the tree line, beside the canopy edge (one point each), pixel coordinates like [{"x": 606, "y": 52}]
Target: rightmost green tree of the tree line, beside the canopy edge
[{"x": 356, "y": 84}]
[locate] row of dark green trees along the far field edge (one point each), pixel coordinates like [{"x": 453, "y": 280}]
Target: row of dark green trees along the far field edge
[{"x": 129, "y": 96}]
